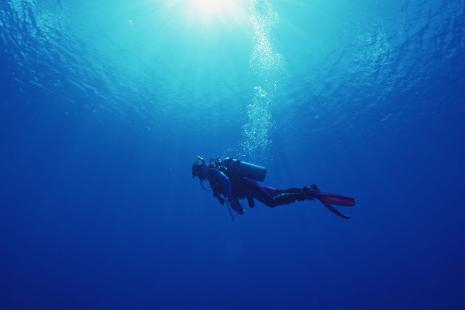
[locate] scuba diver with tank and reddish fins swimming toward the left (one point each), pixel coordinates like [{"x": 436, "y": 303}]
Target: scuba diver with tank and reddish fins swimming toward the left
[{"x": 232, "y": 179}]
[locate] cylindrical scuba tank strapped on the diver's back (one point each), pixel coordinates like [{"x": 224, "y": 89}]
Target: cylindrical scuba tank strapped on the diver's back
[{"x": 238, "y": 168}]
